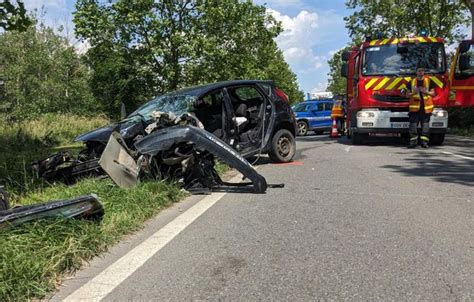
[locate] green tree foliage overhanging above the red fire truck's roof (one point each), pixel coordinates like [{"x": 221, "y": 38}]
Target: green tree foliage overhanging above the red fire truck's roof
[{"x": 441, "y": 18}]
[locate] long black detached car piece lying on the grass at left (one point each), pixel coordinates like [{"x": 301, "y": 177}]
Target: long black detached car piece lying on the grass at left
[{"x": 86, "y": 207}]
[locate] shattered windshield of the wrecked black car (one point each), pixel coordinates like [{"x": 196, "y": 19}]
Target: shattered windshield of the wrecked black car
[{"x": 178, "y": 104}]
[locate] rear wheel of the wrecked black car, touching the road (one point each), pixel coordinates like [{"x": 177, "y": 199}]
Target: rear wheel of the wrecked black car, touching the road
[{"x": 283, "y": 146}]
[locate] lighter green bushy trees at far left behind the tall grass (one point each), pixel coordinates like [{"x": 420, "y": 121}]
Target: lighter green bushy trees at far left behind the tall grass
[{"x": 42, "y": 73}]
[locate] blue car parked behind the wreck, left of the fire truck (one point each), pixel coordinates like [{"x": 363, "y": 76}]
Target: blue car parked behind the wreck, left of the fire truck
[{"x": 313, "y": 115}]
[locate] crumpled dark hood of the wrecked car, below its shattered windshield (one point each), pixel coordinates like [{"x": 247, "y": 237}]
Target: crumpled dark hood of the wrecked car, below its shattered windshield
[{"x": 127, "y": 128}]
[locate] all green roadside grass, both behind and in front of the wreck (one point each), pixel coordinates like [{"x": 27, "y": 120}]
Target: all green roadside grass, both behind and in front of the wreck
[{"x": 34, "y": 256}]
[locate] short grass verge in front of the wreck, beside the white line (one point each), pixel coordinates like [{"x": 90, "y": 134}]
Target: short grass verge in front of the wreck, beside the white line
[{"x": 34, "y": 256}]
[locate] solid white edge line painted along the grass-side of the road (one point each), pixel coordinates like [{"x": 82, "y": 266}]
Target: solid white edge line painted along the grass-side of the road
[{"x": 105, "y": 282}]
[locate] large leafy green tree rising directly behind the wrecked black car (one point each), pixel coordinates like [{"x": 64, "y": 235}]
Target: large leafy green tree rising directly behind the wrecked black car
[{"x": 144, "y": 48}]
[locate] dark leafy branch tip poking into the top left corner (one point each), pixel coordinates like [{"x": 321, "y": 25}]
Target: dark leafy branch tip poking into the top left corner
[{"x": 13, "y": 18}]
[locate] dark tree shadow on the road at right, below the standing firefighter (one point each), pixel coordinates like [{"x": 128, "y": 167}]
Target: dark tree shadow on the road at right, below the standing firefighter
[{"x": 449, "y": 170}]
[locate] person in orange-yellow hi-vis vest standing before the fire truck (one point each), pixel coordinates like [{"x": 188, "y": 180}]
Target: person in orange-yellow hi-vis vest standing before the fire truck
[{"x": 420, "y": 108}]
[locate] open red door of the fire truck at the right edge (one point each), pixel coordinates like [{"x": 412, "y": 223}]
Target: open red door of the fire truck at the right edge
[{"x": 462, "y": 76}]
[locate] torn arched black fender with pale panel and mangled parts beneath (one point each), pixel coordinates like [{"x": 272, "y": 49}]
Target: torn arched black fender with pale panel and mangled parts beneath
[{"x": 179, "y": 152}]
